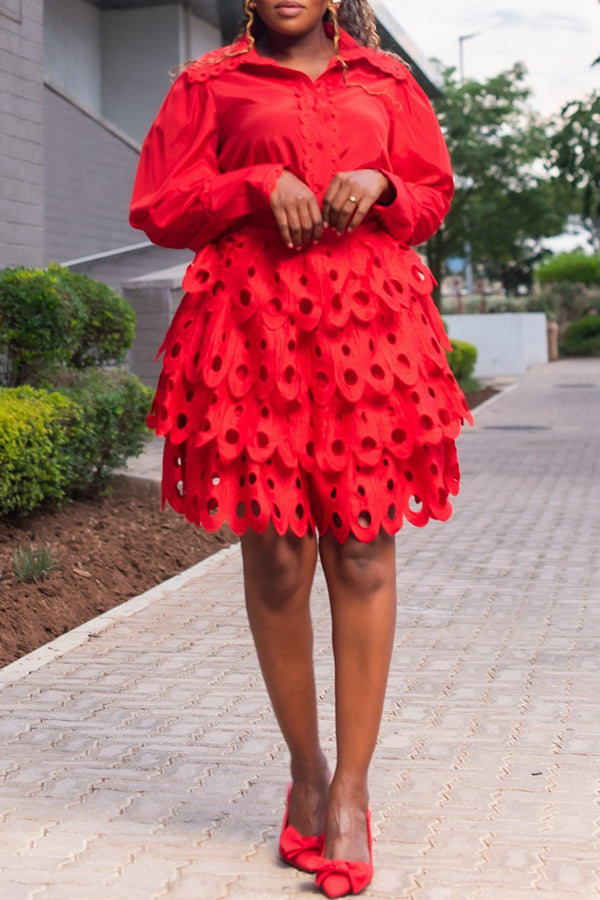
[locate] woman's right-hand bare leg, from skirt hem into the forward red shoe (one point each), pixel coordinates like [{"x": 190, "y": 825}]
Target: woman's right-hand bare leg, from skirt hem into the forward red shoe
[{"x": 361, "y": 578}]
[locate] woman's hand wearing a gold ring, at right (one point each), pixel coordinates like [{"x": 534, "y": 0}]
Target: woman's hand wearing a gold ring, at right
[{"x": 351, "y": 195}]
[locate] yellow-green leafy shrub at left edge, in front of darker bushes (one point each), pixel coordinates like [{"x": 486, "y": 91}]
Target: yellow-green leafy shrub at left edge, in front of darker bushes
[{"x": 34, "y": 436}]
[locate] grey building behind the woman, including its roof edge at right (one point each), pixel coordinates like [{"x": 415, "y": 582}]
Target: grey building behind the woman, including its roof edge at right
[{"x": 81, "y": 81}]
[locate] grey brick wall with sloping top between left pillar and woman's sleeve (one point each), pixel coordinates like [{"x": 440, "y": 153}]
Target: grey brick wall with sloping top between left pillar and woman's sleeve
[{"x": 89, "y": 174}]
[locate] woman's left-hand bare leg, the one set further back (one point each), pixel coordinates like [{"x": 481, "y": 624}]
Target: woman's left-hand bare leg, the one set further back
[{"x": 278, "y": 576}]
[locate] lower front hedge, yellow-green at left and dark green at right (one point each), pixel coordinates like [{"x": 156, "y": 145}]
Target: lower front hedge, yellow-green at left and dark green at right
[{"x": 67, "y": 442}]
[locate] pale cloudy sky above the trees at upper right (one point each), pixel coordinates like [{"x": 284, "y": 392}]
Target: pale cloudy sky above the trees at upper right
[{"x": 556, "y": 39}]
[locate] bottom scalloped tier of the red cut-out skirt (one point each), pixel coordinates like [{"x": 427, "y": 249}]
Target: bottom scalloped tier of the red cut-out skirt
[{"x": 359, "y": 501}]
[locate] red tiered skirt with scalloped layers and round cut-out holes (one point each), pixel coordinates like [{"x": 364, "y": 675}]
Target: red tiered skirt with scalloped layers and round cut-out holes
[{"x": 308, "y": 388}]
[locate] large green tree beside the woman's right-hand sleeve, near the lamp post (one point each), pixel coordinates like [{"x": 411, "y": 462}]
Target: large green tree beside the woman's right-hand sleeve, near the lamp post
[{"x": 504, "y": 200}]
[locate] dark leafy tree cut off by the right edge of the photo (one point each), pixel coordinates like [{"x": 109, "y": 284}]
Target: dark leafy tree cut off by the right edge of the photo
[{"x": 575, "y": 158}]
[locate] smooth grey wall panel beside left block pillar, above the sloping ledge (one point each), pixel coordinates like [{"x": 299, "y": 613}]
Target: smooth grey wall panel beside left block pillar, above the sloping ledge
[{"x": 72, "y": 55}]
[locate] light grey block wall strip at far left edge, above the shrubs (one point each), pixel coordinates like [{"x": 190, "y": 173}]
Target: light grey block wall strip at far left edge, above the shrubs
[{"x": 21, "y": 133}]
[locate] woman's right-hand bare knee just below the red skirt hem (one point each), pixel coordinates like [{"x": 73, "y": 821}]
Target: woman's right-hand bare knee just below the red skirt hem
[{"x": 363, "y": 568}]
